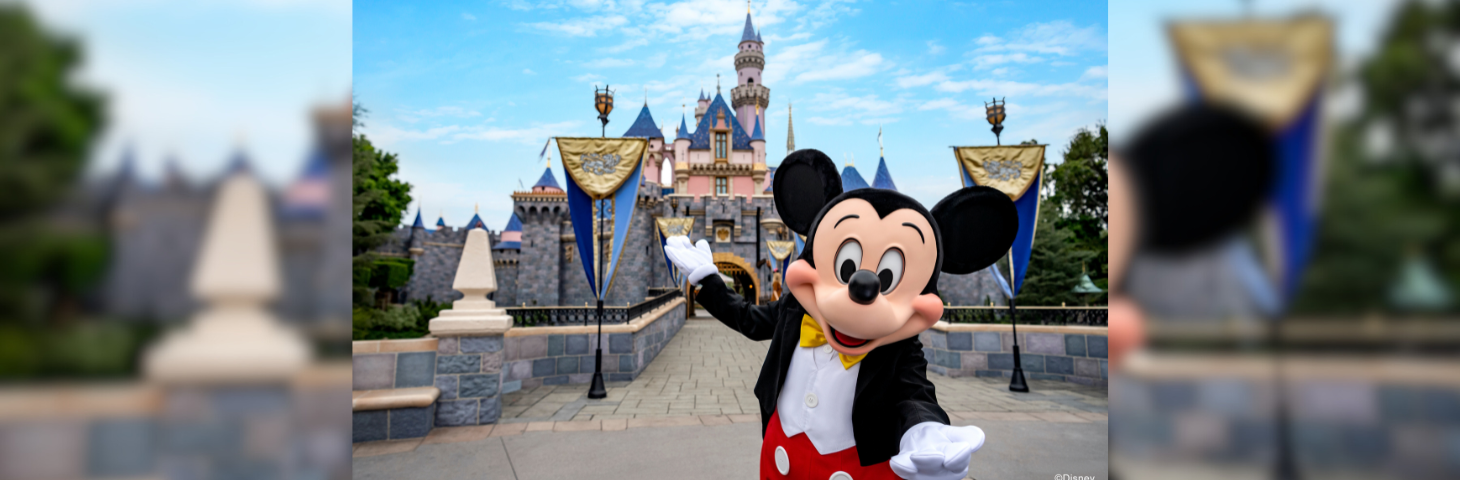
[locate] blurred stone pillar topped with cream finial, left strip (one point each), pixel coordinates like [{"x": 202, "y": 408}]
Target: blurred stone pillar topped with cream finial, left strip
[{"x": 228, "y": 406}]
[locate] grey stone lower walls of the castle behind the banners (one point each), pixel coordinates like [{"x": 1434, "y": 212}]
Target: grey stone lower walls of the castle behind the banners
[{"x": 548, "y": 269}]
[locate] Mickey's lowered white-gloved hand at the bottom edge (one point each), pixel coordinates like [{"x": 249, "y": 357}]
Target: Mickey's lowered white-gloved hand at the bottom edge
[{"x": 935, "y": 452}]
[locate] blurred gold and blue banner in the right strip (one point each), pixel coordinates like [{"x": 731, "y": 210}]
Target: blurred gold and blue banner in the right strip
[{"x": 1275, "y": 71}]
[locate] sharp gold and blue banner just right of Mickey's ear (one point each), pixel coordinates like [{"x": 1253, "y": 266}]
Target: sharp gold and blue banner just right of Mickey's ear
[{"x": 1015, "y": 171}]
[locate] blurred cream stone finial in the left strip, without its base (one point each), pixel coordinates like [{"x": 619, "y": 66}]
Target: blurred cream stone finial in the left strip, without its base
[{"x": 234, "y": 339}]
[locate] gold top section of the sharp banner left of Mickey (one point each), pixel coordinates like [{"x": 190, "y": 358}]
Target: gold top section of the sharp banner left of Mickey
[{"x": 601, "y": 166}]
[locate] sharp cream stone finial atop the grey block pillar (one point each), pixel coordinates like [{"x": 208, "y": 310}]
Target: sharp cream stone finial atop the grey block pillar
[{"x": 474, "y": 314}]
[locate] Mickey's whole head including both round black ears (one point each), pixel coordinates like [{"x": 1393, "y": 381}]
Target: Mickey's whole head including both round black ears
[{"x": 869, "y": 272}]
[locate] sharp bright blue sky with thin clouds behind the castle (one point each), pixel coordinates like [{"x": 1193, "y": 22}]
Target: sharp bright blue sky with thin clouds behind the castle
[{"x": 468, "y": 93}]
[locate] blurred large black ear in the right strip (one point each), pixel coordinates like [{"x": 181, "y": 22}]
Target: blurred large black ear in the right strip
[{"x": 1202, "y": 173}]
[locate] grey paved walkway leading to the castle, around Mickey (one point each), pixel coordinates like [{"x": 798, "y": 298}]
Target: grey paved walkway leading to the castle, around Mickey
[{"x": 693, "y": 415}]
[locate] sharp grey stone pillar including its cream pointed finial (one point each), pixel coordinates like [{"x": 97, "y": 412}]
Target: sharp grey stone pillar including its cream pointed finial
[{"x": 469, "y": 354}]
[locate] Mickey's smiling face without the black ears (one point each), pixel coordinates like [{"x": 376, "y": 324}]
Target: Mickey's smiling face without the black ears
[{"x": 872, "y": 271}]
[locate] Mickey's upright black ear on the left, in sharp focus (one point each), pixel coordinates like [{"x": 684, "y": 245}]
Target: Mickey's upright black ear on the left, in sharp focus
[{"x": 804, "y": 185}]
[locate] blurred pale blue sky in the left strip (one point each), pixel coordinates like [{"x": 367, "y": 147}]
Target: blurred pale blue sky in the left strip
[{"x": 201, "y": 80}]
